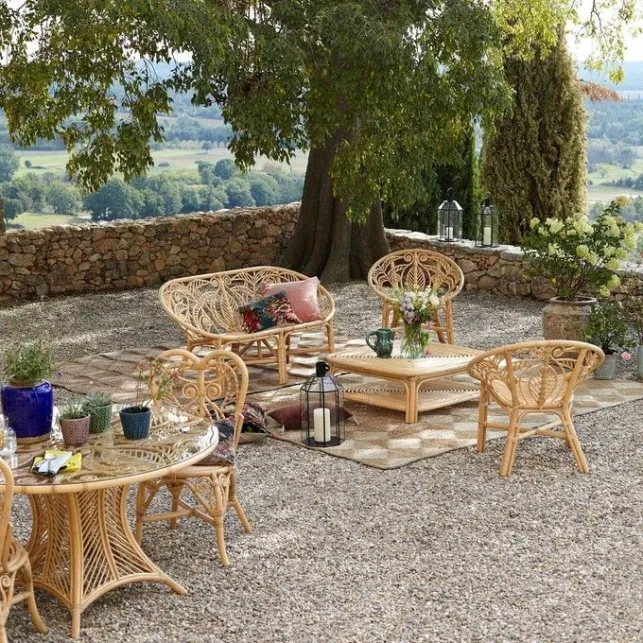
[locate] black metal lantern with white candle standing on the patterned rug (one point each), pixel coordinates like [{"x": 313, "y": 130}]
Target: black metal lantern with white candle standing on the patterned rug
[{"x": 322, "y": 409}]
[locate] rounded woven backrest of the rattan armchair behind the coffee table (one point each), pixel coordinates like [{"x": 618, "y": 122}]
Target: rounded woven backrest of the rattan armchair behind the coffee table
[{"x": 415, "y": 270}]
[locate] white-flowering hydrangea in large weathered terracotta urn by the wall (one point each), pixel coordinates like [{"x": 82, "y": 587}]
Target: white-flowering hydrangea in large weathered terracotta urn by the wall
[{"x": 580, "y": 259}]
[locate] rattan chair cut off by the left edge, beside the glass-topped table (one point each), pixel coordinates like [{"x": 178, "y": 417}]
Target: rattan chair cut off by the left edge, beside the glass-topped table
[{"x": 14, "y": 565}]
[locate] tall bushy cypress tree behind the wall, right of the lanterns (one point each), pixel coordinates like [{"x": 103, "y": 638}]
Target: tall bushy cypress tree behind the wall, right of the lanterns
[{"x": 534, "y": 163}]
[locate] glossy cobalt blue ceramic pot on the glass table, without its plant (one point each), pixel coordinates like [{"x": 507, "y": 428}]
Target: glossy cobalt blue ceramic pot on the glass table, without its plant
[{"x": 28, "y": 410}]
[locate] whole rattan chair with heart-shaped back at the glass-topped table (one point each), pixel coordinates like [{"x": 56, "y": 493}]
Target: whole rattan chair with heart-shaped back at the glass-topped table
[{"x": 215, "y": 386}]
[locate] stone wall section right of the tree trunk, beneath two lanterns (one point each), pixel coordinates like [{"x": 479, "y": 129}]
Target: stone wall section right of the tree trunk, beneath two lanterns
[{"x": 499, "y": 270}]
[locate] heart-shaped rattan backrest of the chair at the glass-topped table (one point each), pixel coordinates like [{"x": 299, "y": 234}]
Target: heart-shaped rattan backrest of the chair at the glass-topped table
[{"x": 214, "y": 385}]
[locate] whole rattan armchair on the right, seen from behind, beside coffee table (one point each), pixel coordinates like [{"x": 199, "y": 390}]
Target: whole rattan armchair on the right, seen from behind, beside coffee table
[{"x": 528, "y": 378}]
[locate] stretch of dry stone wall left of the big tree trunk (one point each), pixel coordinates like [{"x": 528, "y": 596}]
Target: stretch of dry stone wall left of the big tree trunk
[{"x": 132, "y": 254}]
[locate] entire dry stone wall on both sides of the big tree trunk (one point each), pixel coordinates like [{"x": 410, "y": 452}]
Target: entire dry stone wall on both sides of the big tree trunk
[{"x": 133, "y": 254}]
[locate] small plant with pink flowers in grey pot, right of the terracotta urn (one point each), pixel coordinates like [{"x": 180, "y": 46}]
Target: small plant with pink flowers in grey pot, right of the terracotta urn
[{"x": 607, "y": 329}]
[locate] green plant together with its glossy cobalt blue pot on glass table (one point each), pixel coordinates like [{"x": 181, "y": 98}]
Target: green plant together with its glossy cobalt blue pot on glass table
[{"x": 27, "y": 397}]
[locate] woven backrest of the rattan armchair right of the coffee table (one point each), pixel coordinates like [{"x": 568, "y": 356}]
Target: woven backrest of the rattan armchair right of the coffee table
[{"x": 537, "y": 374}]
